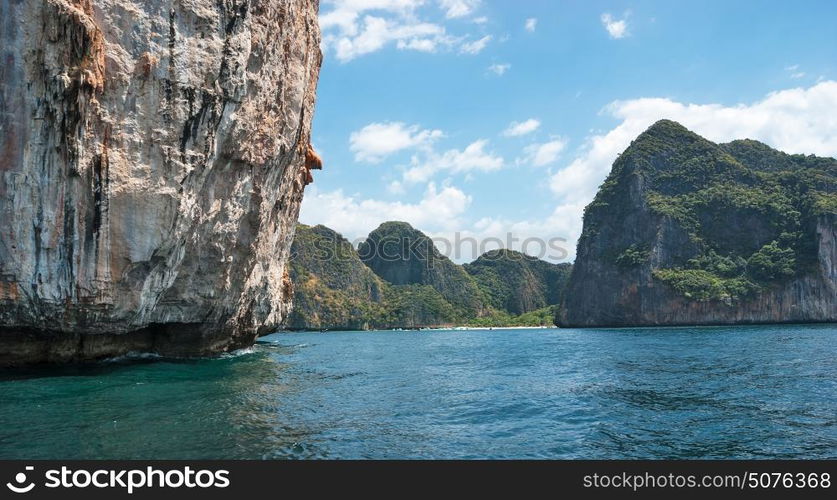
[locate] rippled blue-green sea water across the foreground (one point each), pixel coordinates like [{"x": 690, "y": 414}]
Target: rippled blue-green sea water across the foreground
[{"x": 726, "y": 392}]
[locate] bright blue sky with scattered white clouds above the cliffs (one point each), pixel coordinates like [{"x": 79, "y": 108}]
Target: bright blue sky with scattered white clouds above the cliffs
[{"x": 496, "y": 118}]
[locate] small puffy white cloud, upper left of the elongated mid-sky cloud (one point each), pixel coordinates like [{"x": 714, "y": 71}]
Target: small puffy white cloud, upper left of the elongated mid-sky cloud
[{"x": 376, "y": 141}]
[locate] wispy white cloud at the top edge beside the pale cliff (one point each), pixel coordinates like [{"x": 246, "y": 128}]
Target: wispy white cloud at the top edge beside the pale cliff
[{"x": 353, "y": 28}]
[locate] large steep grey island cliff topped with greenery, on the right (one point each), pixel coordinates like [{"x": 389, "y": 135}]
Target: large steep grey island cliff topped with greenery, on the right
[{"x": 686, "y": 232}]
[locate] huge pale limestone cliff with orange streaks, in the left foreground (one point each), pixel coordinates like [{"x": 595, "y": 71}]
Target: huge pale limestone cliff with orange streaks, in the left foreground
[{"x": 153, "y": 157}]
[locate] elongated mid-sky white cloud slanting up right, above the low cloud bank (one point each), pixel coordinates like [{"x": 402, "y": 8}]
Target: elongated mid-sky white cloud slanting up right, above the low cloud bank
[{"x": 473, "y": 158}]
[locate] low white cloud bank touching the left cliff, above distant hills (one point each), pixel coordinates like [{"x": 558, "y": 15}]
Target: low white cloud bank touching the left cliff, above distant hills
[{"x": 354, "y": 217}]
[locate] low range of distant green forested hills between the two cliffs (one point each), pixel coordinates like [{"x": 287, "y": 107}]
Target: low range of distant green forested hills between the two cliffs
[{"x": 398, "y": 279}]
